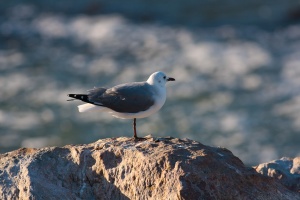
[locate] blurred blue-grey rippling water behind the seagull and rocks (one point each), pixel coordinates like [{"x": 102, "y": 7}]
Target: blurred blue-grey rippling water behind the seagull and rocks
[{"x": 236, "y": 64}]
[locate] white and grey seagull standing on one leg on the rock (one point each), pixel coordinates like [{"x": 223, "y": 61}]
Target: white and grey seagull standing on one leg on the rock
[{"x": 129, "y": 100}]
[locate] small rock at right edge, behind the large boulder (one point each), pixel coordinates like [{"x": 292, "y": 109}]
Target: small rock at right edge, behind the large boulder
[{"x": 286, "y": 170}]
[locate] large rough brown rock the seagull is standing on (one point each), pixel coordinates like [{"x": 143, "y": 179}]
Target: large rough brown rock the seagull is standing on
[{"x": 121, "y": 168}]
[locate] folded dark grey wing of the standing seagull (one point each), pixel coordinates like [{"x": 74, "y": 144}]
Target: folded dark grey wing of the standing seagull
[{"x": 125, "y": 98}]
